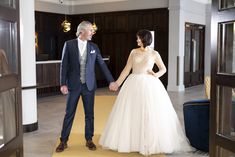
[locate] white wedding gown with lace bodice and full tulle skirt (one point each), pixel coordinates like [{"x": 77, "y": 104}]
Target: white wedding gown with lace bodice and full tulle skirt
[{"x": 143, "y": 119}]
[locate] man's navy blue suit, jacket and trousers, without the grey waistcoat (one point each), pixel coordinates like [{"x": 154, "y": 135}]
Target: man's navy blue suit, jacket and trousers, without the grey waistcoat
[{"x": 70, "y": 76}]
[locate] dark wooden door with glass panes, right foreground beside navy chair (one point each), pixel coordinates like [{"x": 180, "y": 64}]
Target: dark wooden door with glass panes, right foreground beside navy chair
[{"x": 222, "y": 115}]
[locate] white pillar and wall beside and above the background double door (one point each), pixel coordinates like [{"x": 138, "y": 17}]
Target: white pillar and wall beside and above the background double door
[{"x": 180, "y": 12}]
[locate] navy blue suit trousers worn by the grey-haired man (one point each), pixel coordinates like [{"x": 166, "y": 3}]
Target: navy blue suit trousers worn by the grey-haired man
[{"x": 71, "y": 106}]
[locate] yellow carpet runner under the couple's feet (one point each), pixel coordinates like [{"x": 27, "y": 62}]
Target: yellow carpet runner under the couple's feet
[{"x": 76, "y": 144}]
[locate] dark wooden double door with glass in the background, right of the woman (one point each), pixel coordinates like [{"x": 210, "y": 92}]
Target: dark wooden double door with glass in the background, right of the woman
[{"x": 194, "y": 54}]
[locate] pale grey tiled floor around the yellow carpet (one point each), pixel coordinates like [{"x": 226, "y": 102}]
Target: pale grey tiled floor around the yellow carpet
[{"x": 41, "y": 143}]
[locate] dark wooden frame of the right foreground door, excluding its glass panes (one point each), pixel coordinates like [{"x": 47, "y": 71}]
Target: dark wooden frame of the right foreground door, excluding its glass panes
[{"x": 219, "y": 79}]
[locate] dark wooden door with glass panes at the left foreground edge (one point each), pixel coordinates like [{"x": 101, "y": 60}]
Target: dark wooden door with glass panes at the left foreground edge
[{"x": 11, "y": 142}]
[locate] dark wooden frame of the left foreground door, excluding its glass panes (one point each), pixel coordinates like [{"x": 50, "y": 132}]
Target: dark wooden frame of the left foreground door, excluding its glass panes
[{"x": 13, "y": 81}]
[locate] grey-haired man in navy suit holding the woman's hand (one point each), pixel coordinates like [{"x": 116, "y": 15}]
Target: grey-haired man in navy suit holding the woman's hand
[{"x": 77, "y": 78}]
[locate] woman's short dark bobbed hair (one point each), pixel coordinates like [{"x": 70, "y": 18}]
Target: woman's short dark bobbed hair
[{"x": 145, "y": 36}]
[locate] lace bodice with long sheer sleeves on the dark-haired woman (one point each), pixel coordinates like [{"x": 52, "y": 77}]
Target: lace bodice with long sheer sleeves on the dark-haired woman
[{"x": 141, "y": 62}]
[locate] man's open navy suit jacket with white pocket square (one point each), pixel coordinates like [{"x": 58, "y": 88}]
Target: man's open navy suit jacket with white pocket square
[{"x": 70, "y": 65}]
